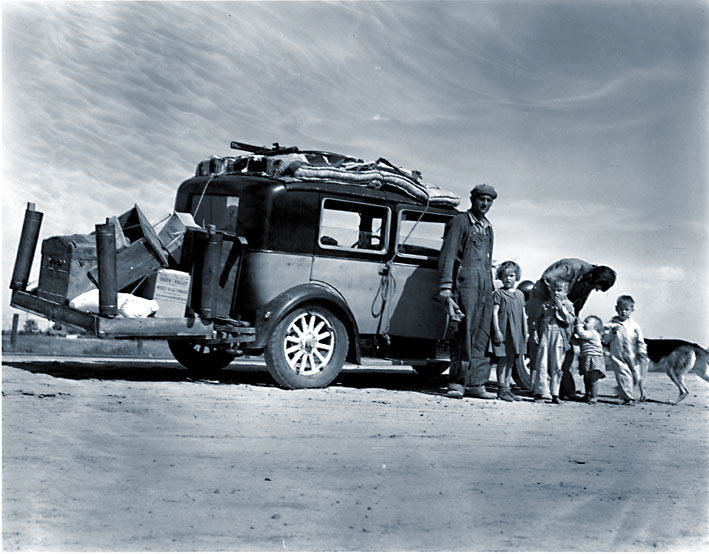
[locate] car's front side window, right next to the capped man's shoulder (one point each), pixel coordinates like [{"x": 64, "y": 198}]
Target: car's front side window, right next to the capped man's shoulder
[{"x": 420, "y": 234}]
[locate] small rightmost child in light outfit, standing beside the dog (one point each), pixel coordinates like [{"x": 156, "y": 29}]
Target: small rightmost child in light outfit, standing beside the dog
[{"x": 628, "y": 350}]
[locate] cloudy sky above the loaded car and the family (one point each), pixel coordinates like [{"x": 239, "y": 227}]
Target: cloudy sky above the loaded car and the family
[{"x": 588, "y": 117}]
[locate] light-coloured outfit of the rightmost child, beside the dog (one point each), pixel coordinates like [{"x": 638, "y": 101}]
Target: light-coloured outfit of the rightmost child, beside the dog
[{"x": 627, "y": 349}]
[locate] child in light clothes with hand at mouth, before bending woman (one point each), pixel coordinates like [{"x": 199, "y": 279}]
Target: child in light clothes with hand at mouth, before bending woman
[{"x": 552, "y": 333}]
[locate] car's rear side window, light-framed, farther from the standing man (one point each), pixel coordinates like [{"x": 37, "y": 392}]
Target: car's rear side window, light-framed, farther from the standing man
[{"x": 355, "y": 226}]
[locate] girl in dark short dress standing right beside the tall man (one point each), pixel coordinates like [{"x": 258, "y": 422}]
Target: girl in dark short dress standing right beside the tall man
[{"x": 509, "y": 324}]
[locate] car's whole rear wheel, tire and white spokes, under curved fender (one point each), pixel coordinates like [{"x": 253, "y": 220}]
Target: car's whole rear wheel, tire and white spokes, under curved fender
[{"x": 307, "y": 348}]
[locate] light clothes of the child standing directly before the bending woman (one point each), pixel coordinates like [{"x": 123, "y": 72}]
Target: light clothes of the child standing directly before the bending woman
[{"x": 554, "y": 329}]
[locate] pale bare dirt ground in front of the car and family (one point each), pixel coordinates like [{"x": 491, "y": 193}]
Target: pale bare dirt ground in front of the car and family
[{"x": 134, "y": 456}]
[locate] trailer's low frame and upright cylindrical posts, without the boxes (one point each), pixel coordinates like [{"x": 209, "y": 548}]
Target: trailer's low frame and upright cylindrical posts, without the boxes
[{"x": 200, "y": 325}]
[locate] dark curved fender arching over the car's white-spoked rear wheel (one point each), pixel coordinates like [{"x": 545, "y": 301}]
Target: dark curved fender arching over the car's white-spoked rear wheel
[{"x": 268, "y": 316}]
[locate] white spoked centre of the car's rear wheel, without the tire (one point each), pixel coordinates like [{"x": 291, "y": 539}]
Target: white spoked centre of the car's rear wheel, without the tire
[{"x": 309, "y": 344}]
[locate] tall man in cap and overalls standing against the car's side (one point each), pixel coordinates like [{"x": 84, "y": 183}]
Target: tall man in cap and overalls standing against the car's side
[{"x": 465, "y": 269}]
